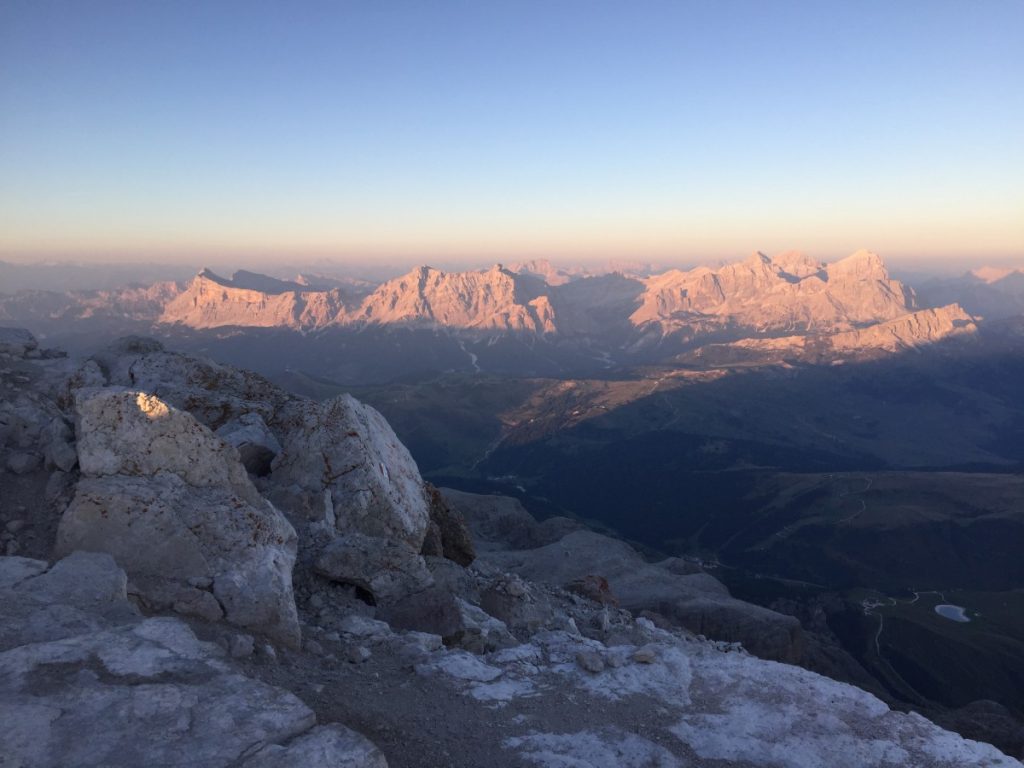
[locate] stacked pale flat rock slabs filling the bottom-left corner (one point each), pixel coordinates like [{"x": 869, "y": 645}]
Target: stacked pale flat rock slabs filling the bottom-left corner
[{"x": 91, "y": 684}]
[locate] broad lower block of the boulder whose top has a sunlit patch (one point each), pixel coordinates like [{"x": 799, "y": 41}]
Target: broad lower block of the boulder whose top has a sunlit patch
[{"x": 165, "y": 532}]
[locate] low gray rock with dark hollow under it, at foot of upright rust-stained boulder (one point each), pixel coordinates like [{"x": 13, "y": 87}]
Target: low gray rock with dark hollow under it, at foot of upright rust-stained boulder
[{"x": 385, "y": 569}]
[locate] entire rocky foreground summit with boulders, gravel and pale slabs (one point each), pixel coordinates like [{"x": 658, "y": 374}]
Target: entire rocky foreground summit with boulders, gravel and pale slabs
[{"x": 204, "y": 571}]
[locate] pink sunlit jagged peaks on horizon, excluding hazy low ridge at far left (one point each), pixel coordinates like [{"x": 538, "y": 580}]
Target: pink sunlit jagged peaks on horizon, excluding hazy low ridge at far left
[{"x": 788, "y": 296}]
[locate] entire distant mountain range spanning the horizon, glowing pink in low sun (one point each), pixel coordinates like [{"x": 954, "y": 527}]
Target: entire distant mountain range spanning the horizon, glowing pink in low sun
[{"x": 792, "y": 300}]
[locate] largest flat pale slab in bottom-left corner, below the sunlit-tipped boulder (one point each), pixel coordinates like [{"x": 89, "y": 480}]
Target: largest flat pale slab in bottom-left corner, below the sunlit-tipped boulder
[{"x": 163, "y": 699}]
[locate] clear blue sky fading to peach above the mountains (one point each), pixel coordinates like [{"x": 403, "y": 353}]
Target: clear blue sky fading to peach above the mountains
[{"x": 421, "y": 132}]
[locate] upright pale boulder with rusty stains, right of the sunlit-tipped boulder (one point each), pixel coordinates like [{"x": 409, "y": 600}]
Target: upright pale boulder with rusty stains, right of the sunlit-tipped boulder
[{"x": 348, "y": 449}]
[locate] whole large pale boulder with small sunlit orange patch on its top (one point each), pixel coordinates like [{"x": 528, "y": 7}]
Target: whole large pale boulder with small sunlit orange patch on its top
[{"x": 174, "y": 505}]
